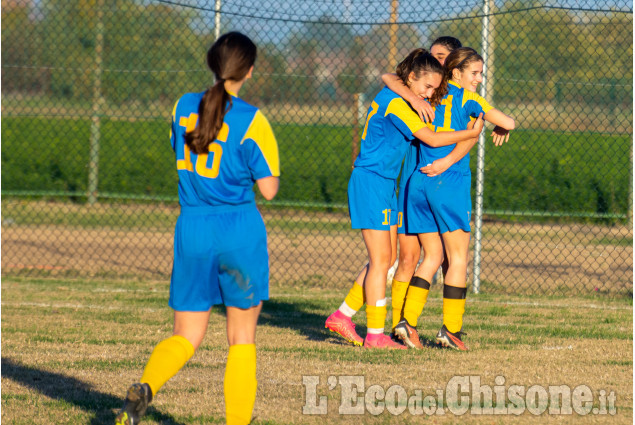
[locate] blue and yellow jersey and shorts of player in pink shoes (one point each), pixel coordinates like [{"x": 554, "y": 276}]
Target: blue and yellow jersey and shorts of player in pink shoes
[{"x": 390, "y": 125}]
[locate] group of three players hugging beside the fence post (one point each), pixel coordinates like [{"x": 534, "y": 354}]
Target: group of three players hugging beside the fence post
[{"x": 433, "y": 204}]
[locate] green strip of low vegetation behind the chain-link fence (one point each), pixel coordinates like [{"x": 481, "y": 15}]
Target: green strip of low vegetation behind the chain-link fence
[{"x": 536, "y": 171}]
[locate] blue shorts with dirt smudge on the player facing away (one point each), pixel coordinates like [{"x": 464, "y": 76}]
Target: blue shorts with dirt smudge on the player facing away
[{"x": 220, "y": 257}]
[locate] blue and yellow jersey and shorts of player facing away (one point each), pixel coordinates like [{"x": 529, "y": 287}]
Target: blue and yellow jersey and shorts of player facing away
[{"x": 220, "y": 241}]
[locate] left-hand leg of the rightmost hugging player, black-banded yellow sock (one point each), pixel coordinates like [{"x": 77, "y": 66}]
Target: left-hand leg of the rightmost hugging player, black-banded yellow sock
[{"x": 418, "y": 289}]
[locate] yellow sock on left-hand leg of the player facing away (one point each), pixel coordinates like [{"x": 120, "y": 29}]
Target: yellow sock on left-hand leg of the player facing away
[{"x": 167, "y": 358}]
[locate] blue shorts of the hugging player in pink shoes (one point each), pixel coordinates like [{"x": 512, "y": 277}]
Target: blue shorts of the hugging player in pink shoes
[{"x": 372, "y": 200}]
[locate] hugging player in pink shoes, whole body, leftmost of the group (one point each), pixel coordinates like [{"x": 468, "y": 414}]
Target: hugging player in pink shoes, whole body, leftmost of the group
[{"x": 390, "y": 125}]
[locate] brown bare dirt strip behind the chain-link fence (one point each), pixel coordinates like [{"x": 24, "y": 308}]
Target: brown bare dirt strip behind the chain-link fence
[{"x": 515, "y": 258}]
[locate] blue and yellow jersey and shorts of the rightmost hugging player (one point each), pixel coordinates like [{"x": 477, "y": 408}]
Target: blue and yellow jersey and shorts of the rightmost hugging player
[{"x": 443, "y": 203}]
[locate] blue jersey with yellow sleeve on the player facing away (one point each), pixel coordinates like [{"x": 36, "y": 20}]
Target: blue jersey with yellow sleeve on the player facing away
[{"x": 244, "y": 151}]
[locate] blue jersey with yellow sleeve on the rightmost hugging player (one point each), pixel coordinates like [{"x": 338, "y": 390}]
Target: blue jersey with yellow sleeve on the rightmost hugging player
[{"x": 454, "y": 113}]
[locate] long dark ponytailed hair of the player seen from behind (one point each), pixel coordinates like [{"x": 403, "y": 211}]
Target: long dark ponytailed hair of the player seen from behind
[{"x": 229, "y": 58}]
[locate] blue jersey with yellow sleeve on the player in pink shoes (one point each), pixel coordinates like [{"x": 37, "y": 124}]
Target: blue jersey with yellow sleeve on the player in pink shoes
[{"x": 390, "y": 124}]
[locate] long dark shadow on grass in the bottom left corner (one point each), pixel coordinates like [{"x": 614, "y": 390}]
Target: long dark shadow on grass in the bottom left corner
[{"x": 71, "y": 390}]
